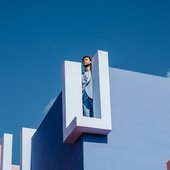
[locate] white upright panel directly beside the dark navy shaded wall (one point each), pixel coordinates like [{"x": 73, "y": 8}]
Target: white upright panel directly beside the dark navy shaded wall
[{"x": 26, "y": 136}]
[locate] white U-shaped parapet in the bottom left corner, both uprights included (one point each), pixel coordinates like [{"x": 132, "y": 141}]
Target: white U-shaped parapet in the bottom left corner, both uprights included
[{"x": 6, "y": 150}]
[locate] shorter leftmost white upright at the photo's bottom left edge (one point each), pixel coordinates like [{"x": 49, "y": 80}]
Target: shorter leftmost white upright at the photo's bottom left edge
[{"x": 6, "y": 152}]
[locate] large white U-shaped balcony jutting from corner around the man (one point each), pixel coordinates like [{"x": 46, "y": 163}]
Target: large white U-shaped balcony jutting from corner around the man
[{"x": 74, "y": 123}]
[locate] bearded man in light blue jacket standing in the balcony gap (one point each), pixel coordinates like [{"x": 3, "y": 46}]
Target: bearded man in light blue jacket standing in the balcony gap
[{"x": 87, "y": 96}]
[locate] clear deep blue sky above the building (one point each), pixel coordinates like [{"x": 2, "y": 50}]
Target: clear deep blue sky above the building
[{"x": 37, "y": 36}]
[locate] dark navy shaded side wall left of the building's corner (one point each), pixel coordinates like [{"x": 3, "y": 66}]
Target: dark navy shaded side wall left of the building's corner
[{"x": 48, "y": 150}]
